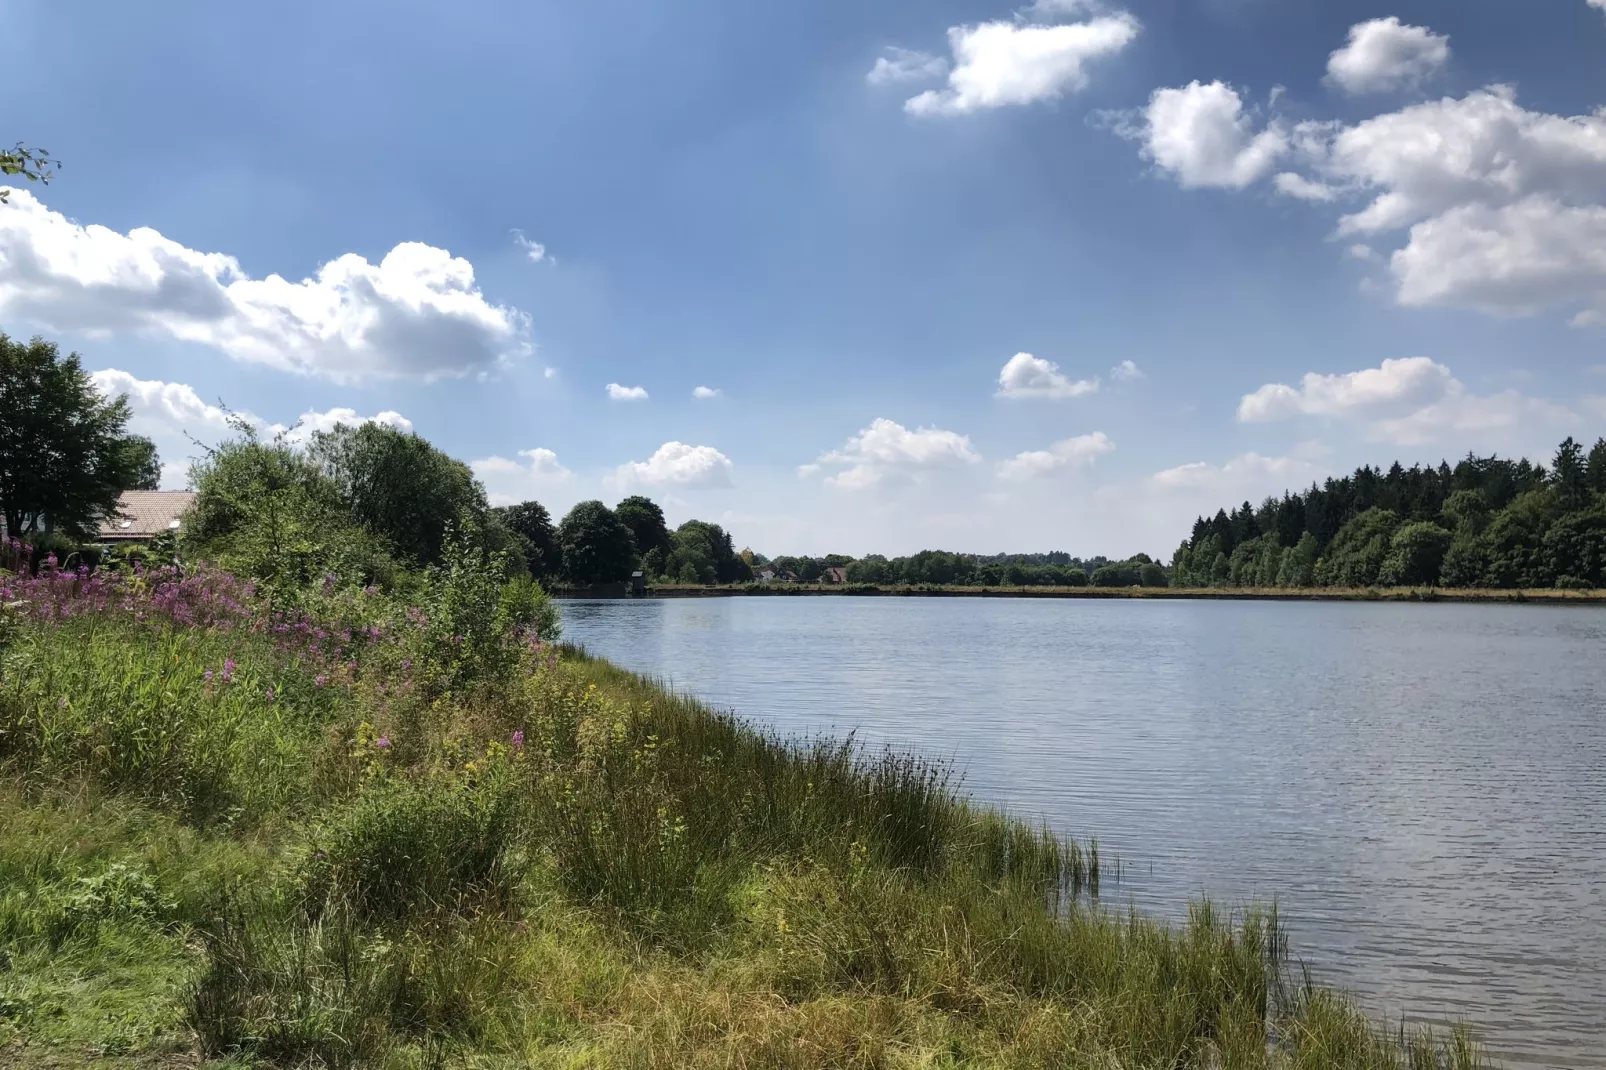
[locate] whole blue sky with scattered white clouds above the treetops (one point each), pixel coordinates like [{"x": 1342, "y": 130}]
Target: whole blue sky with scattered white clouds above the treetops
[{"x": 902, "y": 243}]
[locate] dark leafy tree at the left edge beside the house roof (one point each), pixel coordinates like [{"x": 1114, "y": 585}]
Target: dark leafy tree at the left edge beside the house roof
[{"x": 63, "y": 452}]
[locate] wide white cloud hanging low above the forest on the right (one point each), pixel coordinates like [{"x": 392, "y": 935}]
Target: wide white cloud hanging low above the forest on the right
[{"x": 1404, "y": 402}]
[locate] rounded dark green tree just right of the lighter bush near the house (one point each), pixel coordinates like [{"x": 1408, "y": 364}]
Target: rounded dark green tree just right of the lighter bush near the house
[{"x": 399, "y": 486}]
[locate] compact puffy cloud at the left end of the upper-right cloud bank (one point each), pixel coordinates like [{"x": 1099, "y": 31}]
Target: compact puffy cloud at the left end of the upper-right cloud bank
[{"x": 1202, "y": 136}]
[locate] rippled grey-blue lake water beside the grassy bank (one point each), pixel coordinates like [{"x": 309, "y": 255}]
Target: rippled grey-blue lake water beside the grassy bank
[{"x": 1421, "y": 788}]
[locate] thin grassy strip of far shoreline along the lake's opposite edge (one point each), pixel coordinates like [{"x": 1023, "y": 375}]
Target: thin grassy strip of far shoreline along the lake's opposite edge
[{"x": 1188, "y": 594}]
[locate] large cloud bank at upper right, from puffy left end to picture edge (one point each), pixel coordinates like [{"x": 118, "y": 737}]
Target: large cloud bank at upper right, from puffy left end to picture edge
[{"x": 1499, "y": 208}]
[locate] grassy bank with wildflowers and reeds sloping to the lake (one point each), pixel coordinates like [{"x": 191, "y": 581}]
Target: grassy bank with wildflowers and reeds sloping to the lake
[{"x": 271, "y": 836}]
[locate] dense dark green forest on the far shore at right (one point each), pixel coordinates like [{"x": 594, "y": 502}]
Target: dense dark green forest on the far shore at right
[{"x": 1485, "y": 523}]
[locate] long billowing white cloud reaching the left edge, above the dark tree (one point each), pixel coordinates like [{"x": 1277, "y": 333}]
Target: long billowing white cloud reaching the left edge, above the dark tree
[{"x": 417, "y": 314}]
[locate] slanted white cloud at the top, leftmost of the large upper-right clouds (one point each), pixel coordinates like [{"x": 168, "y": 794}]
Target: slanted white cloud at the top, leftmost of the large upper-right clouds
[{"x": 1003, "y": 63}]
